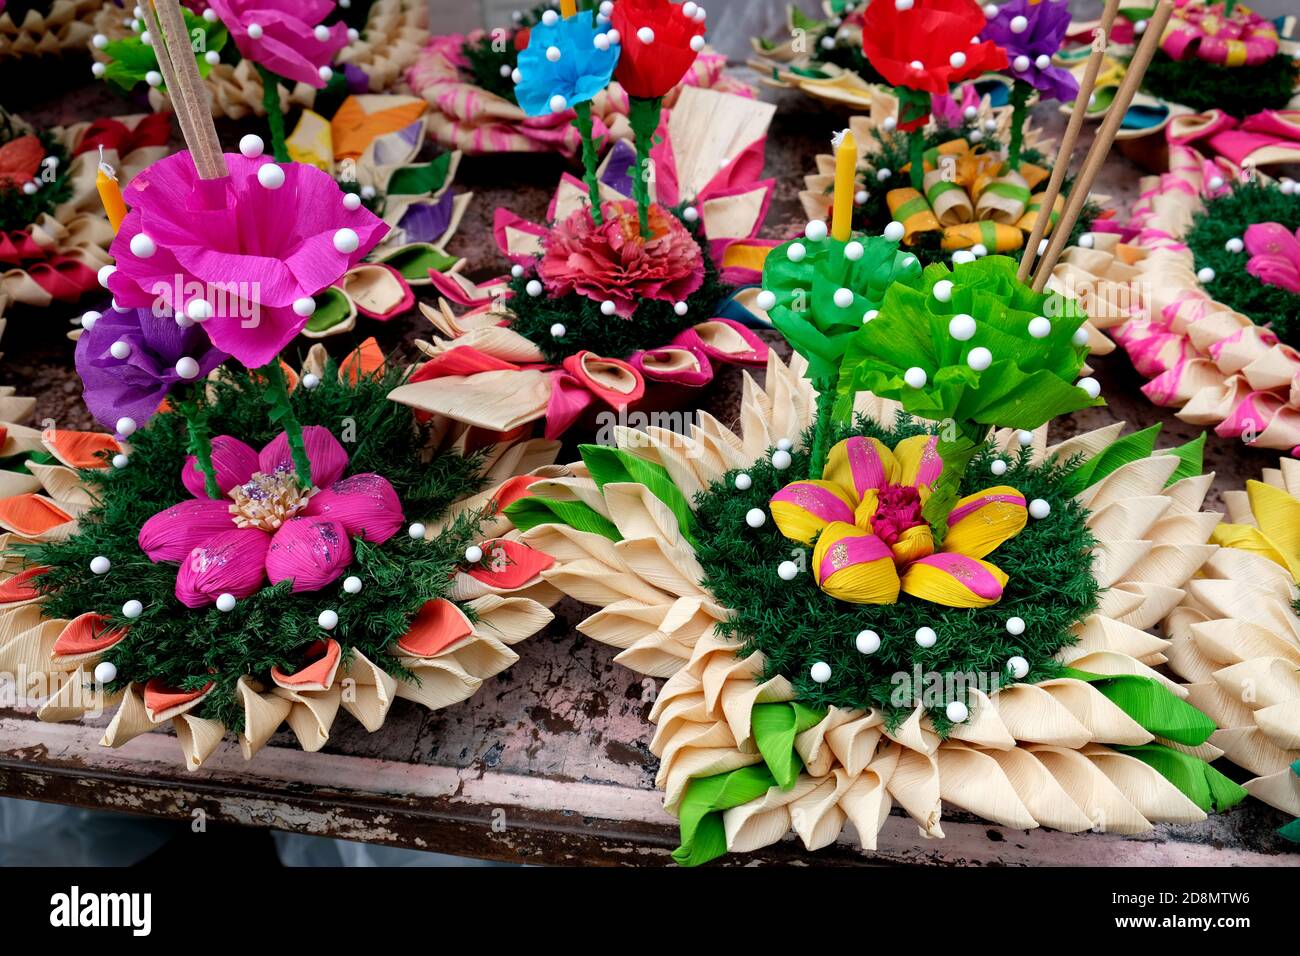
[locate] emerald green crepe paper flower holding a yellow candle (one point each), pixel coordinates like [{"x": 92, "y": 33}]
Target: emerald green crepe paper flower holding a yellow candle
[{"x": 805, "y": 275}]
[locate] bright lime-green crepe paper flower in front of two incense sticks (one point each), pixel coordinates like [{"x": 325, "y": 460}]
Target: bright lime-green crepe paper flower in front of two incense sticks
[{"x": 952, "y": 321}]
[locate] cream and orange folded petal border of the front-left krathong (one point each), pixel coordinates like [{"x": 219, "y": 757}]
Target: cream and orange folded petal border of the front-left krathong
[{"x": 307, "y": 702}]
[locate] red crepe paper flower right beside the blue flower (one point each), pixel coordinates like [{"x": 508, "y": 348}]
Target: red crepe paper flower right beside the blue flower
[{"x": 651, "y": 70}]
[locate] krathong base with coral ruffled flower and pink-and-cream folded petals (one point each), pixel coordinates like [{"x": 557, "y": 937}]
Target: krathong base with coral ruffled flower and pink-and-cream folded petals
[{"x": 601, "y": 317}]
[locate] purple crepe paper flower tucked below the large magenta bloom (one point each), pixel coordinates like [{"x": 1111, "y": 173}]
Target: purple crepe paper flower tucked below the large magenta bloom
[{"x": 135, "y": 387}]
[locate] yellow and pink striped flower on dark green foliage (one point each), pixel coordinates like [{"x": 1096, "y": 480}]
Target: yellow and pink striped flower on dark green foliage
[{"x": 865, "y": 514}]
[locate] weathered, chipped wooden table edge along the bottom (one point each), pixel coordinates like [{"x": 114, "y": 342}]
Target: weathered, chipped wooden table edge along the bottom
[{"x": 506, "y": 817}]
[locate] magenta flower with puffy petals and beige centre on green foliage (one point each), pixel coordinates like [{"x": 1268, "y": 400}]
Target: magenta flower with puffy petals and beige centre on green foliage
[{"x": 270, "y": 529}]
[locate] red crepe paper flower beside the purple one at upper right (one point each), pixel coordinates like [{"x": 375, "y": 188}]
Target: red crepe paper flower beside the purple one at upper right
[{"x": 930, "y": 46}]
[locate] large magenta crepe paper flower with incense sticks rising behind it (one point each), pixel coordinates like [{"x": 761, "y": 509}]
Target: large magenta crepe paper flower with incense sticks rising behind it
[{"x": 250, "y": 254}]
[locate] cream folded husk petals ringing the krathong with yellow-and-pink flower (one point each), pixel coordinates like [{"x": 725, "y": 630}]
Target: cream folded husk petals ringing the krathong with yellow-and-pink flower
[{"x": 1032, "y": 755}]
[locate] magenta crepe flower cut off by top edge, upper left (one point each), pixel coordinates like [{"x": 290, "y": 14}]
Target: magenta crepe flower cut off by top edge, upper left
[{"x": 281, "y": 36}]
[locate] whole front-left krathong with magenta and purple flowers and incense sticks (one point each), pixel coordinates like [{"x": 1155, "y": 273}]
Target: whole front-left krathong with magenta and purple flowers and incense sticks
[{"x": 272, "y": 544}]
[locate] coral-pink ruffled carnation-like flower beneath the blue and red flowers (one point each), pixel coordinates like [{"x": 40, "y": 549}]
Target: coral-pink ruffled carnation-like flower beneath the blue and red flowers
[{"x": 613, "y": 263}]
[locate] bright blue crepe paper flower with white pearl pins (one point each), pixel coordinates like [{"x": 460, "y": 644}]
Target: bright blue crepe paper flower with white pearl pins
[{"x": 567, "y": 62}]
